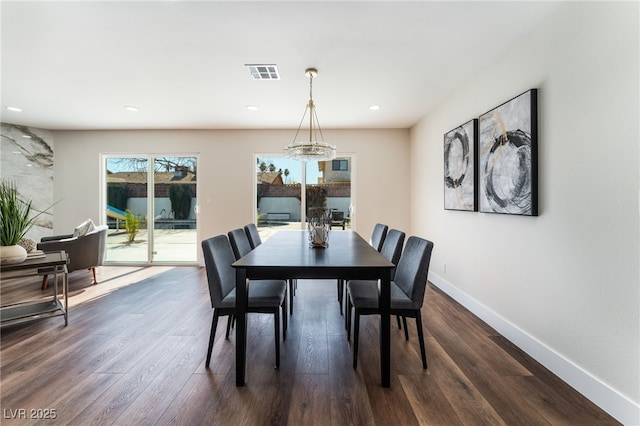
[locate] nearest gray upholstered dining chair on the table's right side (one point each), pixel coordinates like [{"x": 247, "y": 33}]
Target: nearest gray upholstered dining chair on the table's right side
[{"x": 407, "y": 292}]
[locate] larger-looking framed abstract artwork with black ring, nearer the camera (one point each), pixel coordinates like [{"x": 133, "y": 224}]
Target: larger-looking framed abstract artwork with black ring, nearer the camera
[{"x": 508, "y": 156}]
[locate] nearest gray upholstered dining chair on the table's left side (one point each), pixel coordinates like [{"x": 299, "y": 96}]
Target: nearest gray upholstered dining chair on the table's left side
[{"x": 269, "y": 296}]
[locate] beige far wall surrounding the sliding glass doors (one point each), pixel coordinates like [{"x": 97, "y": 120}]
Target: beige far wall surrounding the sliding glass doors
[{"x": 226, "y": 172}]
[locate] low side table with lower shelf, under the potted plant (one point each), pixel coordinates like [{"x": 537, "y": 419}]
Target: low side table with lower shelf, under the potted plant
[{"x": 54, "y": 263}]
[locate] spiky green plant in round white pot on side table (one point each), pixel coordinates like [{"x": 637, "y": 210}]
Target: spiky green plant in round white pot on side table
[{"x": 14, "y": 223}]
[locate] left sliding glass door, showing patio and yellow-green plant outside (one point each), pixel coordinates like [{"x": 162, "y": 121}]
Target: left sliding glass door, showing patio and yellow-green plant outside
[{"x": 151, "y": 209}]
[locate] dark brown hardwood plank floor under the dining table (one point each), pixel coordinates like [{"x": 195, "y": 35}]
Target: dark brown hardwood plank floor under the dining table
[{"x": 134, "y": 351}]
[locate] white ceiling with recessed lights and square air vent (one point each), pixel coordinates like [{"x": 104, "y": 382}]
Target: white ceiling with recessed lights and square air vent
[{"x": 77, "y": 64}]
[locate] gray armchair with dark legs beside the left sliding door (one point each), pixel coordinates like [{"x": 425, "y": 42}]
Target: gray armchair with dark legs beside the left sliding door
[{"x": 84, "y": 252}]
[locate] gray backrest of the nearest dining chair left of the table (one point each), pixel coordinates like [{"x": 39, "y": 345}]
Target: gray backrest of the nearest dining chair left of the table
[{"x": 218, "y": 257}]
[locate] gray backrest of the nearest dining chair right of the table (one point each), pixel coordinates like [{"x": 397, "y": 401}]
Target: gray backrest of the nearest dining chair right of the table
[{"x": 413, "y": 269}]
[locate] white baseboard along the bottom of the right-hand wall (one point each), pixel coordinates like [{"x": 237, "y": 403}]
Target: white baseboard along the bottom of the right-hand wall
[{"x": 617, "y": 405}]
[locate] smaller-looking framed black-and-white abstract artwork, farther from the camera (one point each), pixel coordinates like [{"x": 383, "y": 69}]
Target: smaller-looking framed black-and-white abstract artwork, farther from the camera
[{"x": 460, "y": 167}]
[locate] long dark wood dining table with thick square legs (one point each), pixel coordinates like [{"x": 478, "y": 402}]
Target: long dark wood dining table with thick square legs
[{"x": 287, "y": 254}]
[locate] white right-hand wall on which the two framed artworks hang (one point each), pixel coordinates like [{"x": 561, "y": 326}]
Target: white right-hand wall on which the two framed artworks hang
[{"x": 565, "y": 285}]
